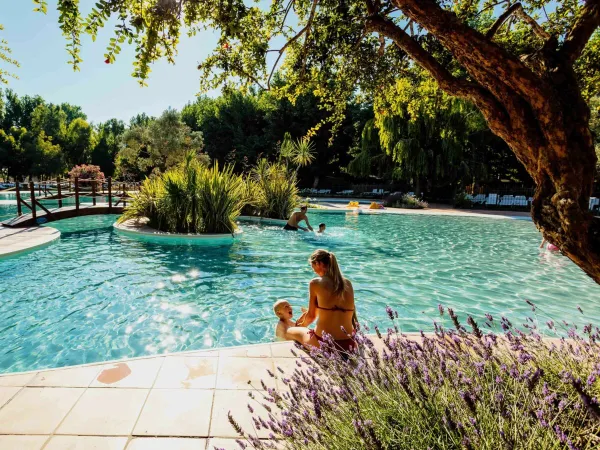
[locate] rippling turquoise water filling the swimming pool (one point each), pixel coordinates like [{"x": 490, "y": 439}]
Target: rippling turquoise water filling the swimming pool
[{"x": 98, "y": 295}]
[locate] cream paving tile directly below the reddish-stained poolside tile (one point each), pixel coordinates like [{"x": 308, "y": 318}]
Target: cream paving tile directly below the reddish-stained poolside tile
[{"x": 103, "y": 412}]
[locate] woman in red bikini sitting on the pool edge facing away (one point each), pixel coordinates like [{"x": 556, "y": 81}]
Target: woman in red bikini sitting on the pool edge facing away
[{"x": 331, "y": 303}]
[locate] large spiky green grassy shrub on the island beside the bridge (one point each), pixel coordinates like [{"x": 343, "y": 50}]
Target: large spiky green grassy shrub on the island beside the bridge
[{"x": 190, "y": 198}]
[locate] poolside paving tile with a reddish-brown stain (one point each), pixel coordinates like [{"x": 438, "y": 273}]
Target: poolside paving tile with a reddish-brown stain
[{"x": 140, "y": 373}]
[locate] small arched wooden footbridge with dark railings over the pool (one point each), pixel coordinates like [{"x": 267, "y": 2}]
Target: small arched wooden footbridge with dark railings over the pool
[{"x": 118, "y": 194}]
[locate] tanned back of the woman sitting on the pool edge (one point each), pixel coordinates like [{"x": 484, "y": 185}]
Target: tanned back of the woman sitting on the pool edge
[{"x": 334, "y": 310}]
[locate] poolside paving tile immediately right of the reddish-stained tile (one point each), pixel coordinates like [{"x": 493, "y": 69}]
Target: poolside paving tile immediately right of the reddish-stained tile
[{"x": 187, "y": 373}]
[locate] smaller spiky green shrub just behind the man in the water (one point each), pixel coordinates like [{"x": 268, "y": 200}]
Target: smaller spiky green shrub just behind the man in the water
[{"x": 275, "y": 190}]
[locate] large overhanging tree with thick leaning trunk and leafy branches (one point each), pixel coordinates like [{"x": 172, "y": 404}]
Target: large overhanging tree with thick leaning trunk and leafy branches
[{"x": 521, "y": 74}]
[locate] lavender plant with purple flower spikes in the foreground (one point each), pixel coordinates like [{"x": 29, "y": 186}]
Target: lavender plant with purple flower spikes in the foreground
[{"x": 458, "y": 388}]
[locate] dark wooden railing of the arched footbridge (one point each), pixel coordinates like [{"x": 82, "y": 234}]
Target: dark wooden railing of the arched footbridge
[{"x": 113, "y": 192}]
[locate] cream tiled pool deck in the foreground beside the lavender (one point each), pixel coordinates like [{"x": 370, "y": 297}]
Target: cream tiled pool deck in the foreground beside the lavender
[{"x": 175, "y": 401}]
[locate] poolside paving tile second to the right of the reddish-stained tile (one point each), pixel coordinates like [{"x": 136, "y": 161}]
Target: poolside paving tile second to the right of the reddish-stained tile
[{"x": 234, "y": 373}]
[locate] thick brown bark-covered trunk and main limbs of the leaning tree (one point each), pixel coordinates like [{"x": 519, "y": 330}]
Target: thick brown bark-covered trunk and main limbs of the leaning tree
[{"x": 537, "y": 109}]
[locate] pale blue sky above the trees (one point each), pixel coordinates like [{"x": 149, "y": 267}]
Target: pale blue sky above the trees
[{"x": 102, "y": 90}]
